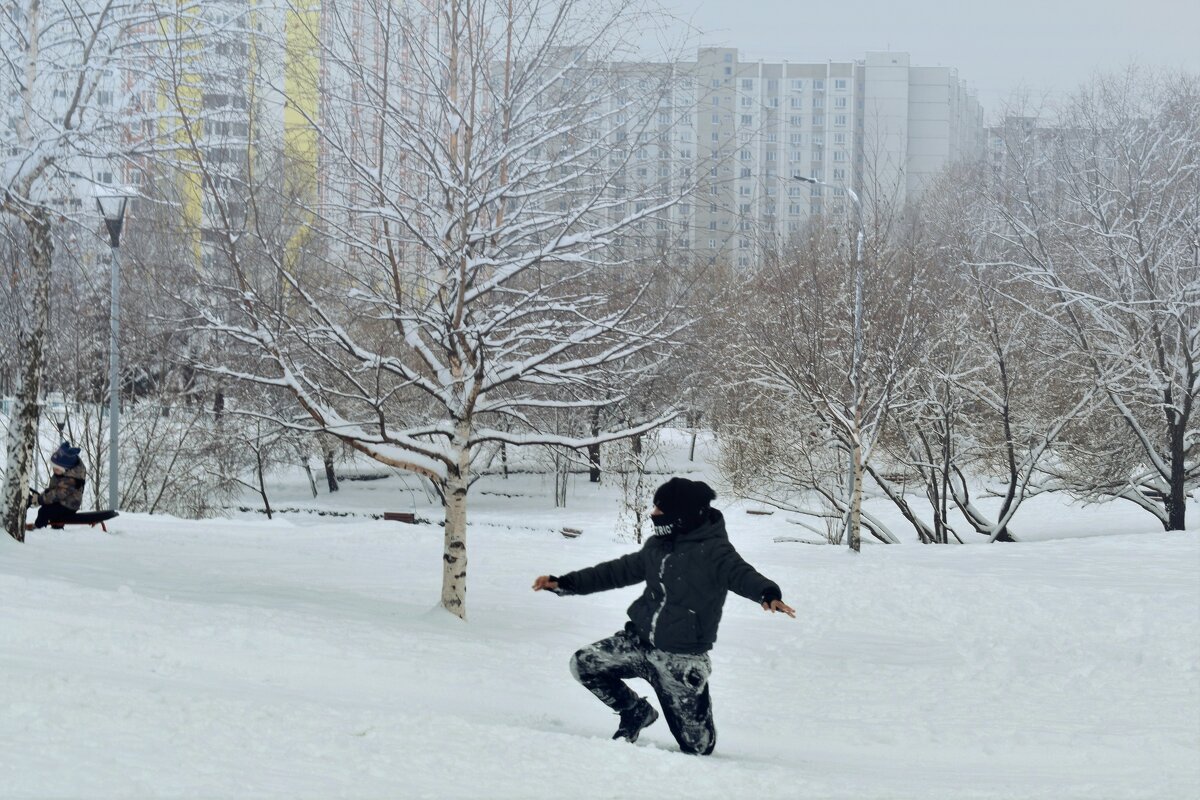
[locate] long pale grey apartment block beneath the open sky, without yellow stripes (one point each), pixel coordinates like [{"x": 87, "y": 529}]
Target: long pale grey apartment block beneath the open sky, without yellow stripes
[{"x": 879, "y": 127}]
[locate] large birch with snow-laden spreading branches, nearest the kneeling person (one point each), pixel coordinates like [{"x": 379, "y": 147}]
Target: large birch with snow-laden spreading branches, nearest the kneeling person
[{"x": 475, "y": 182}]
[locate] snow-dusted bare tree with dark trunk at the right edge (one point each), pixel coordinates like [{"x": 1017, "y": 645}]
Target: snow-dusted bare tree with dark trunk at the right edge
[{"x": 1102, "y": 216}]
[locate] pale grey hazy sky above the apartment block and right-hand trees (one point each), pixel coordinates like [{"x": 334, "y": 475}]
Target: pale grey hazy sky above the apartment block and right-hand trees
[{"x": 998, "y": 46}]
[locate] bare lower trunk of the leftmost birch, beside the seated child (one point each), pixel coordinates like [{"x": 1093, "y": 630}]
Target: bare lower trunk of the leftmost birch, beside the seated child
[{"x": 26, "y": 411}]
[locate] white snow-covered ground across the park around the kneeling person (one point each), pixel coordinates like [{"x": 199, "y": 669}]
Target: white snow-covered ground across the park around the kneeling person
[{"x": 303, "y": 658}]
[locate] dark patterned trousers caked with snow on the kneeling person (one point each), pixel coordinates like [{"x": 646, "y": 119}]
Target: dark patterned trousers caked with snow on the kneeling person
[{"x": 681, "y": 682}]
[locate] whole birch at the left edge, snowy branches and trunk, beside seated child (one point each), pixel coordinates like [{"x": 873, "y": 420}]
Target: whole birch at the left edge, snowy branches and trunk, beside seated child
[{"x": 58, "y": 62}]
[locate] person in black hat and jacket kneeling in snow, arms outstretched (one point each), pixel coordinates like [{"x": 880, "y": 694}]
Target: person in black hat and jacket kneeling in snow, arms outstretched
[{"x": 688, "y": 567}]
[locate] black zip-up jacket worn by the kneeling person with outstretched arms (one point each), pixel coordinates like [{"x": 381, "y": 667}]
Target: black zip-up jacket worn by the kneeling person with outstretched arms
[{"x": 687, "y": 579}]
